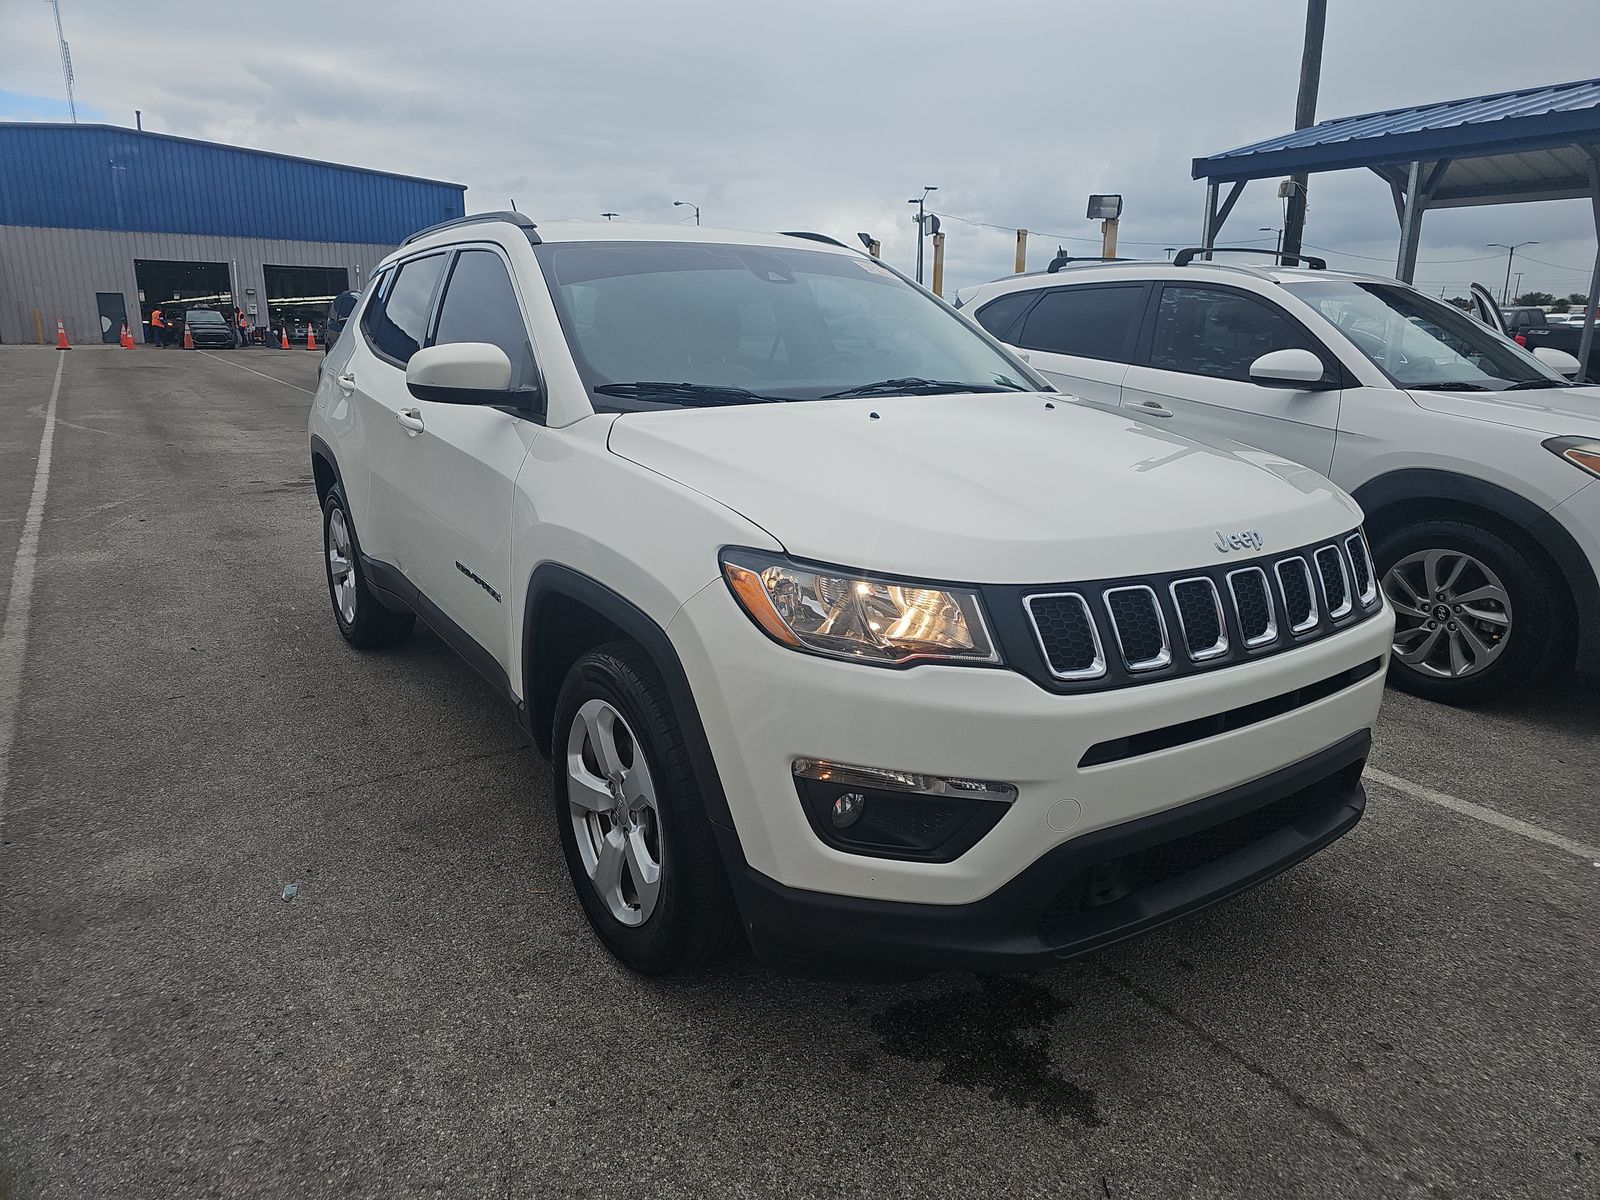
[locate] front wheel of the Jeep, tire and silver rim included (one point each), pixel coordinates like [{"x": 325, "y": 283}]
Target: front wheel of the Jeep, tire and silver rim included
[{"x": 687, "y": 919}]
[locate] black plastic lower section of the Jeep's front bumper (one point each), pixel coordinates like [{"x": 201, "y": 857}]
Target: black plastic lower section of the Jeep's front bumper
[{"x": 1086, "y": 894}]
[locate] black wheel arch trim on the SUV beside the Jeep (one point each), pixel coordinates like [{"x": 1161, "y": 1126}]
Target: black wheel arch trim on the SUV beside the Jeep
[{"x": 1548, "y": 534}]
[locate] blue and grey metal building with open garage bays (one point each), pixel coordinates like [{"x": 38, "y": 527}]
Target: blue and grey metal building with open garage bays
[{"x": 102, "y": 225}]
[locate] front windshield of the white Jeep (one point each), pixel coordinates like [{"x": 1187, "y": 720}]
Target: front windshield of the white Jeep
[{"x": 658, "y": 324}]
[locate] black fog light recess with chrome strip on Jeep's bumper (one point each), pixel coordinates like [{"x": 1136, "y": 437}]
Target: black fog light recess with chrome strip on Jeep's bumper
[{"x": 871, "y": 810}]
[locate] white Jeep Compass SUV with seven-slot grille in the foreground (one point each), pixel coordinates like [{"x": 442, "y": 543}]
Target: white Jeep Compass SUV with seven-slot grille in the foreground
[{"x": 839, "y": 628}]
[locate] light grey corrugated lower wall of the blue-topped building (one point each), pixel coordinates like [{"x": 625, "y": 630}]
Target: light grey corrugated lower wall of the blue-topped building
[{"x": 58, "y": 271}]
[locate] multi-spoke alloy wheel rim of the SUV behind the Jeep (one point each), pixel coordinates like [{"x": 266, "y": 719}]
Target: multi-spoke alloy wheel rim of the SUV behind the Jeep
[{"x": 1454, "y": 615}]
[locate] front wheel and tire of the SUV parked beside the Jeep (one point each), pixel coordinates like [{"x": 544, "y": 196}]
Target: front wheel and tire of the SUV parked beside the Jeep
[{"x": 1521, "y": 634}]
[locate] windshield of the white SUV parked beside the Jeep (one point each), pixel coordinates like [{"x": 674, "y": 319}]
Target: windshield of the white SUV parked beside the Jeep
[{"x": 1423, "y": 343}]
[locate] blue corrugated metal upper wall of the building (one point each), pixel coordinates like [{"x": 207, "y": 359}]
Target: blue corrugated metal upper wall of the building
[{"x": 103, "y": 177}]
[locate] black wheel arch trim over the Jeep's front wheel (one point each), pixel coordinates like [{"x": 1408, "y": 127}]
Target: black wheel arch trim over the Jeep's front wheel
[{"x": 554, "y": 580}]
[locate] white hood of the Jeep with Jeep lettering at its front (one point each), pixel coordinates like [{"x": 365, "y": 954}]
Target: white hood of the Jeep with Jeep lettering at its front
[{"x": 982, "y": 489}]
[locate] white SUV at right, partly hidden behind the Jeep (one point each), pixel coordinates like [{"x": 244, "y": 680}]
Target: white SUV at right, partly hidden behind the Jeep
[{"x": 1474, "y": 462}]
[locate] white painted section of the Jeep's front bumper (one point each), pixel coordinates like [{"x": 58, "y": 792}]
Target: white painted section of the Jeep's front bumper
[{"x": 762, "y": 706}]
